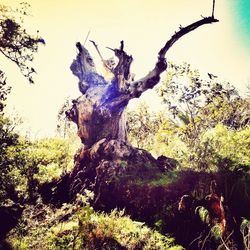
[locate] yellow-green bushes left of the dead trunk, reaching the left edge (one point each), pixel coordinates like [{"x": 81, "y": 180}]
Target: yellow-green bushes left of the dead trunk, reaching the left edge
[{"x": 25, "y": 165}]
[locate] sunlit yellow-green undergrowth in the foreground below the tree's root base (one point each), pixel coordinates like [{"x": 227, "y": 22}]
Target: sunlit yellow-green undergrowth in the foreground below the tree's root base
[{"x": 79, "y": 227}]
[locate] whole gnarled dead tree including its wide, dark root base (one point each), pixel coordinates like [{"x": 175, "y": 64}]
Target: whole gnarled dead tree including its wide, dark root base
[{"x": 107, "y": 163}]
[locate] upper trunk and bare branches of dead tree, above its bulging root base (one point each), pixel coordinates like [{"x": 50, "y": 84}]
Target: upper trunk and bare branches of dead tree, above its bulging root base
[{"x": 99, "y": 111}]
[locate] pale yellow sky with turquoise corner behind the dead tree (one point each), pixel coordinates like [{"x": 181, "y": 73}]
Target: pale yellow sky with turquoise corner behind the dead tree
[{"x": 222, "y": 48}]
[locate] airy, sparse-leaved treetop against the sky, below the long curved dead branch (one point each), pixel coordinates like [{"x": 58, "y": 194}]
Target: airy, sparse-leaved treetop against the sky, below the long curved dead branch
[{"x": 201, "y": 103}]
